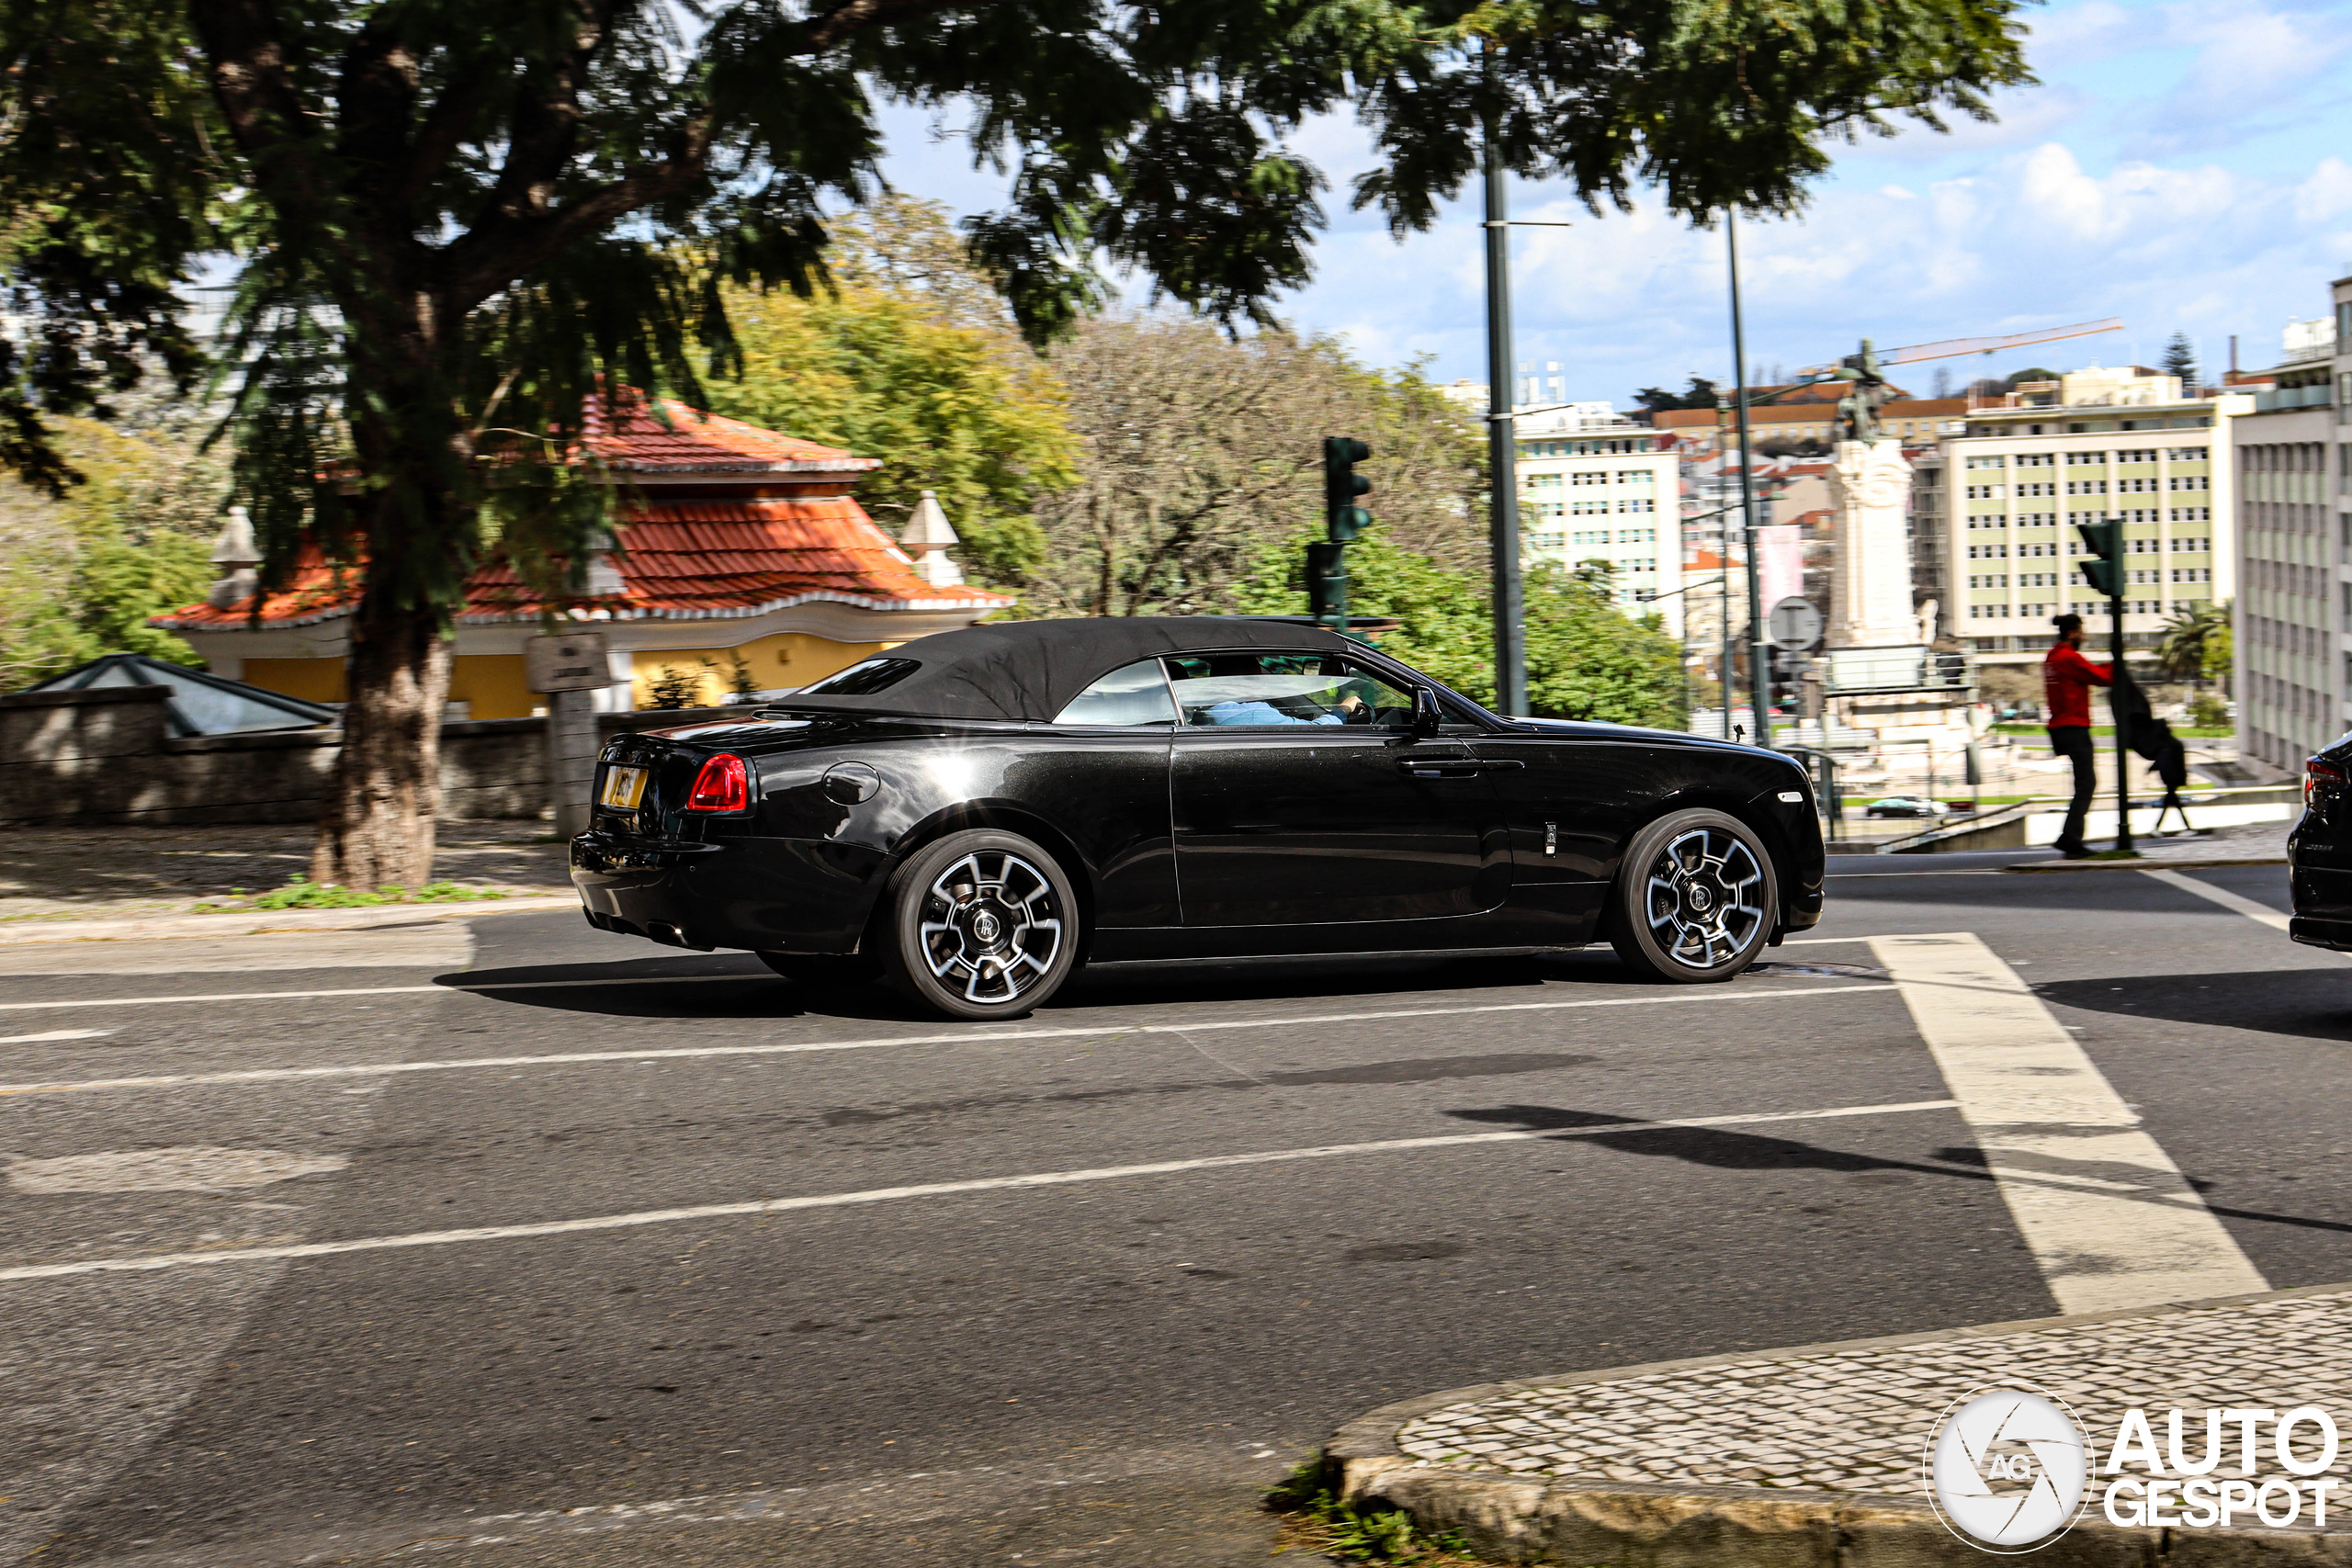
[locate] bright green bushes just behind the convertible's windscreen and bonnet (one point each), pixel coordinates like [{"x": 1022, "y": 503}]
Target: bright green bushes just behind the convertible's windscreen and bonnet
[{"x": 1584, "y": 657}]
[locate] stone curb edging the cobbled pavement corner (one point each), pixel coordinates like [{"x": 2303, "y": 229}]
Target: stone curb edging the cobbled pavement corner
[{"x": 1737, "y": 1527}]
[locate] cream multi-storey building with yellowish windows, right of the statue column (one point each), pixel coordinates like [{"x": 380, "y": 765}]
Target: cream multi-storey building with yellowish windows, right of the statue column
[{"x": 2094, "y": 445}]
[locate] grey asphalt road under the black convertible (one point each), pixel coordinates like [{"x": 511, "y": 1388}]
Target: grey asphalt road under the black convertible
[{"x": 937, "y": 1358}]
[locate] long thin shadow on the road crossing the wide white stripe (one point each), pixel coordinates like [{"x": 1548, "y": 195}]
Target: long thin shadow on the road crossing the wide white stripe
[{"x": 1732, "y": 1151}]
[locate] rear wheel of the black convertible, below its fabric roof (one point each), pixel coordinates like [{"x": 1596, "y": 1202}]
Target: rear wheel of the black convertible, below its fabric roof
[{"x": 980, "y": 925}]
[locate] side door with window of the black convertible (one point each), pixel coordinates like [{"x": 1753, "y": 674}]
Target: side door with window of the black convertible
[{"x": 1302, "y": 796}]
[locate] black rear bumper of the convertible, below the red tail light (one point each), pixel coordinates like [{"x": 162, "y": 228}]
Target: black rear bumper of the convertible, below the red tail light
[{"x": 759, "y": 894}]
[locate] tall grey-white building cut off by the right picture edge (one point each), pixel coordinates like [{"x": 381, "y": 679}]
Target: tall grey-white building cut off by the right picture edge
[{"x": 2294, "y": 514}]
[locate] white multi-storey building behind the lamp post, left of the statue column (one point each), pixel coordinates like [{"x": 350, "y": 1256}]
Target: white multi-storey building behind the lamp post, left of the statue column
[{"x": 1593, "y": 488}]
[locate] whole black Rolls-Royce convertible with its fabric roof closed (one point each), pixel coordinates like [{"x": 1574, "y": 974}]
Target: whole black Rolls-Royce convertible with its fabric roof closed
[{"x": 977, "y": 815}]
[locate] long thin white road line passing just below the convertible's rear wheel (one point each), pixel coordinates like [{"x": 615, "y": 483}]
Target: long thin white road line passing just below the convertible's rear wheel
[{"x": 561, "y": 1059}]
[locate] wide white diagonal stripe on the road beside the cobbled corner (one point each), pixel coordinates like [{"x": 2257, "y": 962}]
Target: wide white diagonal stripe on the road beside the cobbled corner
[{"x": 2102, "y": 1205}]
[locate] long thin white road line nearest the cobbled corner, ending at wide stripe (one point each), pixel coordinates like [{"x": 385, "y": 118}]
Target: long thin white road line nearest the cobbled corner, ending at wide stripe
[{"x": 886, "y": 1195}]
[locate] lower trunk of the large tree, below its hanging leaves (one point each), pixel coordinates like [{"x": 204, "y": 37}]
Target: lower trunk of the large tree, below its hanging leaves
[{"x": 377, "y": 829}]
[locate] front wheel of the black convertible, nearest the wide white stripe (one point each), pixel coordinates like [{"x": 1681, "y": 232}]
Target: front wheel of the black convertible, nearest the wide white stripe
[{"x": 1695, "y": 902}]
